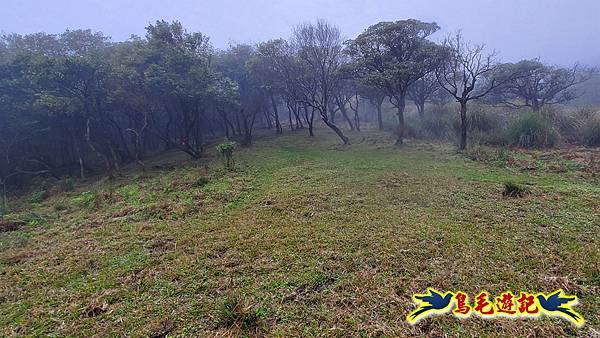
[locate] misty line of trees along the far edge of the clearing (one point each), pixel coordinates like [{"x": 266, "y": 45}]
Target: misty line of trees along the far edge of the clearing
[{"x": 76, "y": 103}]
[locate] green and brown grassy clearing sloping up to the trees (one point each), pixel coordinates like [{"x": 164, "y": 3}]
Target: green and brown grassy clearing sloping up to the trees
[{"x": 305, "y": 238}]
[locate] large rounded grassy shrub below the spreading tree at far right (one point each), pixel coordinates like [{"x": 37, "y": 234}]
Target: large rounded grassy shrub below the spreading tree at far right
[{"x": 531, "y": 131}]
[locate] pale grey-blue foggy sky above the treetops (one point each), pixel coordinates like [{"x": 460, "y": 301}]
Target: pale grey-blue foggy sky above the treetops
[{"x": 558, "y": 31}]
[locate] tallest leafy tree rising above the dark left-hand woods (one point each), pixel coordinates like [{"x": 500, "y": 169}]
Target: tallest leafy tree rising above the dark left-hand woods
[{"x": 177, "y": 74}]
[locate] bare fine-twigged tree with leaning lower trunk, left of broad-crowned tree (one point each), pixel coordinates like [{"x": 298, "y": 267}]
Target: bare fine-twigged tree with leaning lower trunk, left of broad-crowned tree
[{"x": 319, "y": 47}]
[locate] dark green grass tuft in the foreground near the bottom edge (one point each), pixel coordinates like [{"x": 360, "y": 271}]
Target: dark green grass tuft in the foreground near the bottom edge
[{"x": 233, "y": 312}]
